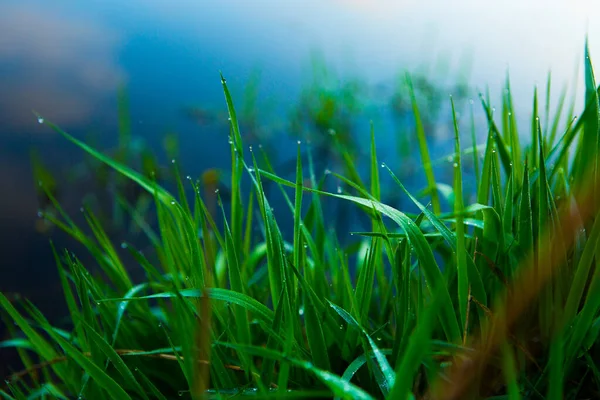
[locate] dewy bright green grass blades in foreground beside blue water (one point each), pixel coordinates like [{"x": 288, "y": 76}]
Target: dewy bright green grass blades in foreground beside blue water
[{"x": 494, "y": 299}]
